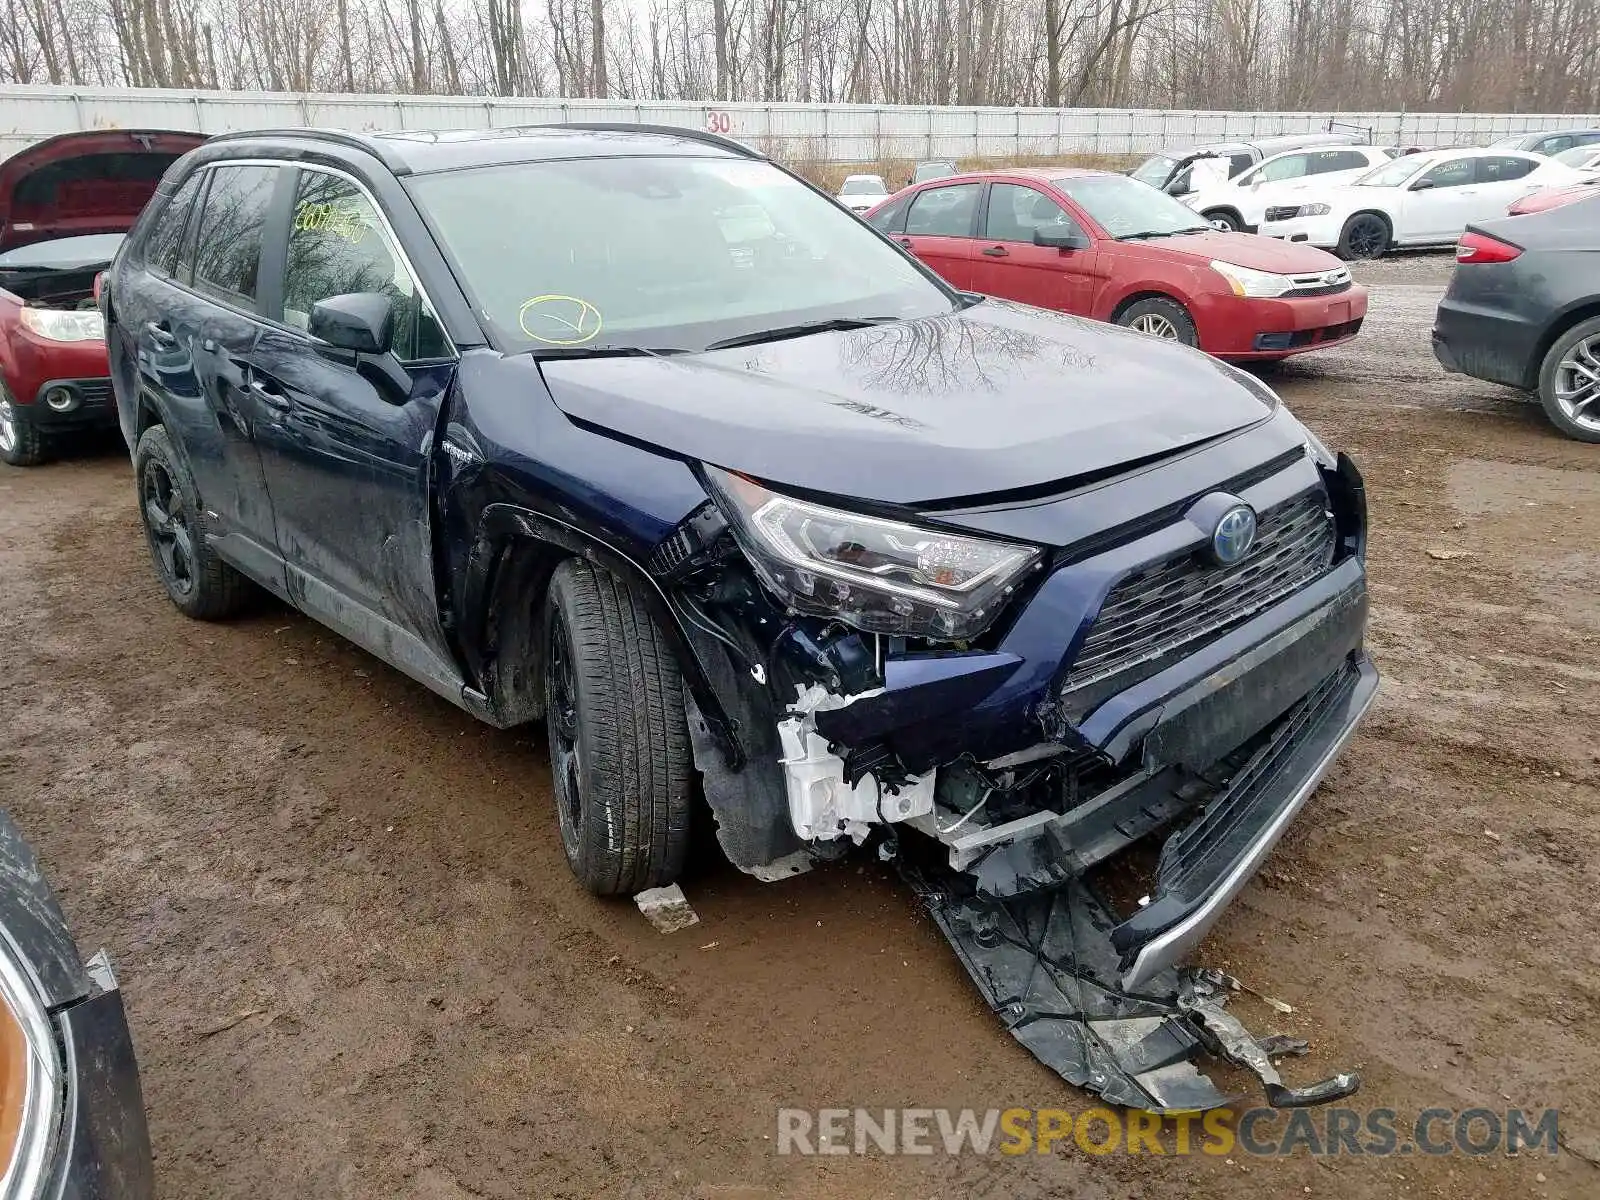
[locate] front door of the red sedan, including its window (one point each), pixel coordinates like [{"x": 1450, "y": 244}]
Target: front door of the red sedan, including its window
[{"x": 1010, "y": 266}]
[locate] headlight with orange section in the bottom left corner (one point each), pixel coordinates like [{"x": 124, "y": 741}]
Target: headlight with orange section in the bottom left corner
[{"x": 30, "y": 1078}]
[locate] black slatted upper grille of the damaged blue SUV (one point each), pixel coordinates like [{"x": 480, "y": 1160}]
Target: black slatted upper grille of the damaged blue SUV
[{"x": 1185, "y": 601}]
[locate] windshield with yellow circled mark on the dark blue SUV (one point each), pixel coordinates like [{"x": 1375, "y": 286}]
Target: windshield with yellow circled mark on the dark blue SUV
[{"x": 670, "y": 254}]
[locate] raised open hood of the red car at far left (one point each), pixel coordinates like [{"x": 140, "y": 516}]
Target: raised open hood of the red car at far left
[{"x": 84, "y": 183}]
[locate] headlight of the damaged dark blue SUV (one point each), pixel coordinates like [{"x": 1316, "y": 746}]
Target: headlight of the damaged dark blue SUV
[{"x": 878, "y": 575}]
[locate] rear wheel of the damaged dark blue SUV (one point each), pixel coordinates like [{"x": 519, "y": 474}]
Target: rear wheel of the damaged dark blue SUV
[{"x": 198, "y": 582}]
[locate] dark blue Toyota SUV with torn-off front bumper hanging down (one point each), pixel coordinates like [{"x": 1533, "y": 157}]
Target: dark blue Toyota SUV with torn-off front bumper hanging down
[{"x": 631, "y": 431}]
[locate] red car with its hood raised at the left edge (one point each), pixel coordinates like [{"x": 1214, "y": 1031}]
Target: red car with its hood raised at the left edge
[{"x": 65, "y": 206}]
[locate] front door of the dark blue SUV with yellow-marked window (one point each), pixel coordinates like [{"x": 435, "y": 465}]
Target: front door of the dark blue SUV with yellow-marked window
[{"x": 348, "y": 450}]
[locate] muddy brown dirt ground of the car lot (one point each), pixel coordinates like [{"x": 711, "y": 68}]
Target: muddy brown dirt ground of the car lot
[{"x": 358, "y": 966}]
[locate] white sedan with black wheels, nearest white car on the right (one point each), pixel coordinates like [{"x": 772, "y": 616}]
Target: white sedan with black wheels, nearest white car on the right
[{"x": 1418, "y": 201}]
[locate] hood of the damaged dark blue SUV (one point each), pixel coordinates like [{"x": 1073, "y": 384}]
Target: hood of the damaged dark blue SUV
[{"x": 986, "y": 401}]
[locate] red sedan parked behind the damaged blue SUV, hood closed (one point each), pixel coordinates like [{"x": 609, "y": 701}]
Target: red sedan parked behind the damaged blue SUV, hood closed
[{"x": 1108, "y": 247}]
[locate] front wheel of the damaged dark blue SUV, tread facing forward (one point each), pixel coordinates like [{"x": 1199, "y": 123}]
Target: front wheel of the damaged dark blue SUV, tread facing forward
[{"x": 620, "y": 742}]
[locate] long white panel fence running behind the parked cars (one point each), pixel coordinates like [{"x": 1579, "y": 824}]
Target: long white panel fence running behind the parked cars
[{"x": 844, "y": 134}]
